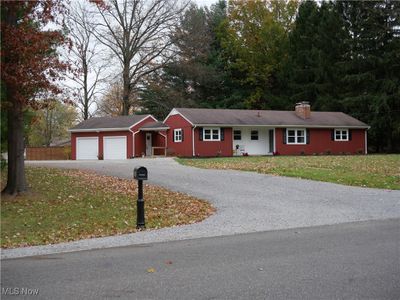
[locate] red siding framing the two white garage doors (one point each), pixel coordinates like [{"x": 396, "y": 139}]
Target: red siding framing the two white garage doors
[{"x": 100, "y": 135}]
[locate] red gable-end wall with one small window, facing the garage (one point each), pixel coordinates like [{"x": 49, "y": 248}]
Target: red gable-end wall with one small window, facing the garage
[{"x": 183, "y": 148}]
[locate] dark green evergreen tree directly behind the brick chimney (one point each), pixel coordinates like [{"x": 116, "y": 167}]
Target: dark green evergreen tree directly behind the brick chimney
[{"x": 315, "y": 48}]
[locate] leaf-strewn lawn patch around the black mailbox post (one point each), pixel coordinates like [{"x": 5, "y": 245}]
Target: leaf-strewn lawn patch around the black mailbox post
[{"x": 68, "y": 205}]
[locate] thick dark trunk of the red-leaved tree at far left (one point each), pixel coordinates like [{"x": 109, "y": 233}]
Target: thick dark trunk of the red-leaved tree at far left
[{"x": 16, "y": 182}]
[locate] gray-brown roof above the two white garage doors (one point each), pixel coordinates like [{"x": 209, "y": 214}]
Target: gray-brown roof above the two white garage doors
[{"x": 120, "y": 122}]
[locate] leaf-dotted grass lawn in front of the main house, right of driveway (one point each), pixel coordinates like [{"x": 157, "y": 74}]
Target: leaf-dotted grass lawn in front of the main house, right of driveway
[{"x": 375, "y": 171}]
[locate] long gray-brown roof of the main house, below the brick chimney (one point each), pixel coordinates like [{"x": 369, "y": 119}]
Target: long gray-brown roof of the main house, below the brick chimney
[{"x": 201, "y": 116}]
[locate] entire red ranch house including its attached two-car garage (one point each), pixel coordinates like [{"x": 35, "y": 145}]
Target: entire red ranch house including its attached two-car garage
[{"x": 199, "y": 132}]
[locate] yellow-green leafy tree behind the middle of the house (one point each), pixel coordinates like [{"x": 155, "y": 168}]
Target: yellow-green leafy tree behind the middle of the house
[{"x": 255, "y": 44}]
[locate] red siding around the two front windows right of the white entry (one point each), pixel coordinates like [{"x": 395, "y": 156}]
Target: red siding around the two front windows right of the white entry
[{"x": 321, "y": 142}]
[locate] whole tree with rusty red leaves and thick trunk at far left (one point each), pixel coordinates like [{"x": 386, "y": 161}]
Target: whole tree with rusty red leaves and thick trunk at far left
[{"x": 29, "y": 65}]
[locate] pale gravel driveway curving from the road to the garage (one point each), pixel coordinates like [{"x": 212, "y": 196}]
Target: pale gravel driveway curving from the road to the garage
[{"x": 245, "y": 202}]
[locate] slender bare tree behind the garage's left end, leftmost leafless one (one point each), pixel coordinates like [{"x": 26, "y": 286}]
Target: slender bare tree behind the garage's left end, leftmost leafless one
[{"x": 85, "y": 58}]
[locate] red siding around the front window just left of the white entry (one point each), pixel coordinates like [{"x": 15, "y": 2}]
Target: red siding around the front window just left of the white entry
[{"x": 211, "y": 148}]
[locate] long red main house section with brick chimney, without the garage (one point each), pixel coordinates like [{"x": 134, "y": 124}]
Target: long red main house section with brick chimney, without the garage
[{"x": 229, "y": 132}]
